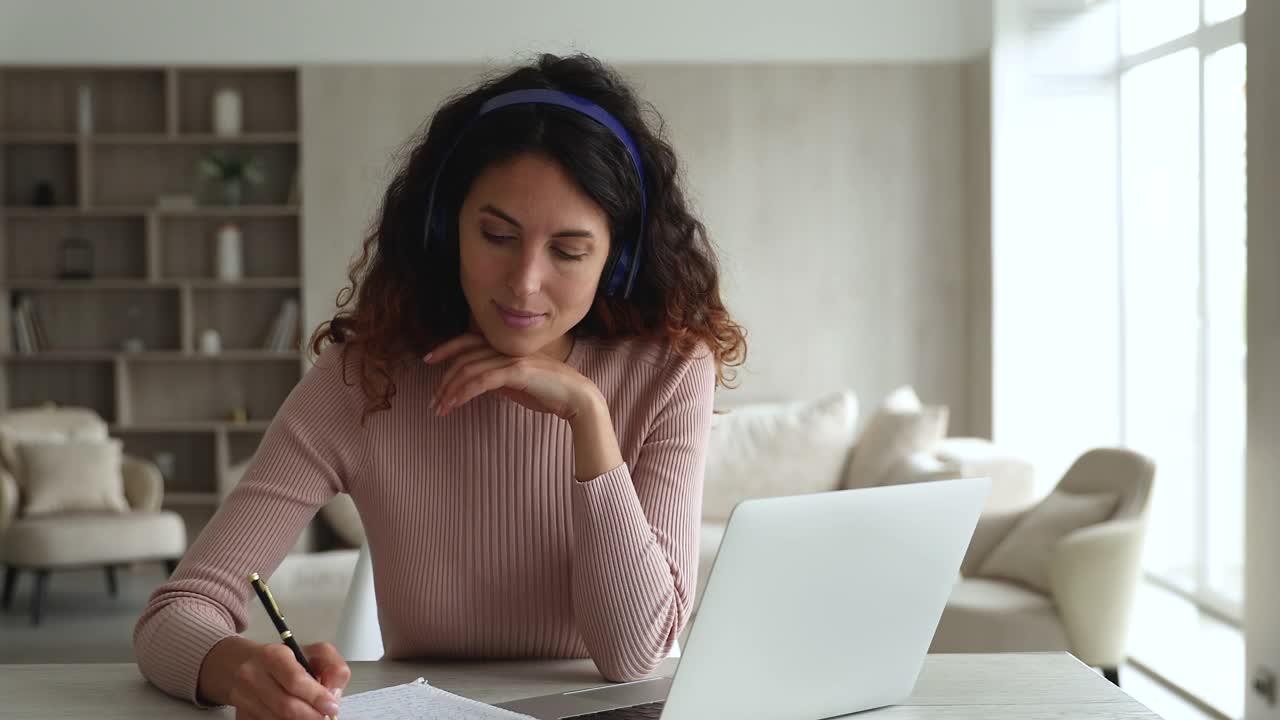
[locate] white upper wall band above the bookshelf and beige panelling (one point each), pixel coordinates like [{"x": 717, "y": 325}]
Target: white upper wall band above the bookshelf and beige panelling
[{"x": 438, "y": 31}]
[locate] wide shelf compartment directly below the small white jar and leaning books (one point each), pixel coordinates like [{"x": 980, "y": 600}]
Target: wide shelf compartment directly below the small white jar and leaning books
[{"x": 208, "y": 391}]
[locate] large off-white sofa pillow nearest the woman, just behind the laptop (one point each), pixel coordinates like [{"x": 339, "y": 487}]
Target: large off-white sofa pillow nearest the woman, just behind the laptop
[{"x": 767, "y": 450}]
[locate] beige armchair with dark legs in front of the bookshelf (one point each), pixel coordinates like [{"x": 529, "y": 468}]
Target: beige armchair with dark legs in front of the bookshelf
[{"x": 60, "y": 541}]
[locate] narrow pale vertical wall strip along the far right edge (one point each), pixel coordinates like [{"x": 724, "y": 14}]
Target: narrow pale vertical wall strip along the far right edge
[{"x": 1263, "y": 491}]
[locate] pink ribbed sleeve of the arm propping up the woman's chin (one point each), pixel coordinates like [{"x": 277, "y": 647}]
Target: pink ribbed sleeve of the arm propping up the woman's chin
[{"x": 637, "y": 530}]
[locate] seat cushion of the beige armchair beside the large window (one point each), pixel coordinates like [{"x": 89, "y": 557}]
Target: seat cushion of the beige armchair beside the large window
[{"x": 996, "y": 617}]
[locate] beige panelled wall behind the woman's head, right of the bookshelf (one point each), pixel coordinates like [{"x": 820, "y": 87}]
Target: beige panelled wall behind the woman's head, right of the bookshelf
[{"x": 838, "y": 195}]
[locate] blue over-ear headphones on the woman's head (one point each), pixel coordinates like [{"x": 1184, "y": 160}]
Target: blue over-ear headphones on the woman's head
[{"x": 623, "y": 274}]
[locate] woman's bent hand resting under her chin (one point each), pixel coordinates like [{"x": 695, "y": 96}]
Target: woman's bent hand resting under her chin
[{"x": 537, "y": 382}]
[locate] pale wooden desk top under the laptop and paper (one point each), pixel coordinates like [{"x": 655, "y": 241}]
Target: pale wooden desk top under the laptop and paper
[{"x": 990, "y": 687}]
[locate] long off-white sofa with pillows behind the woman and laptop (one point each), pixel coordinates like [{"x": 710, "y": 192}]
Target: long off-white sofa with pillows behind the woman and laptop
[{"x": 756, "y": 450}]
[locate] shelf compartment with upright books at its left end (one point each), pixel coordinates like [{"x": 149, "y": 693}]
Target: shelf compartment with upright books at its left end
[{"x": 102, "y": 318}]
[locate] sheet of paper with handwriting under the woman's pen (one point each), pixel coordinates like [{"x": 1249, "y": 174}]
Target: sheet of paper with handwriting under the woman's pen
[{"x": 419, "y": 701}]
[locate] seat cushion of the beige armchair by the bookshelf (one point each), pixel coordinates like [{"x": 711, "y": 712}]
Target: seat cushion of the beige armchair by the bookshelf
[{"x": 94, "y": 539}]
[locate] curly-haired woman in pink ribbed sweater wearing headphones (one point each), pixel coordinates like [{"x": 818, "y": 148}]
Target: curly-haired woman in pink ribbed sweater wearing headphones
[{"x": 516, "y": 394}]
